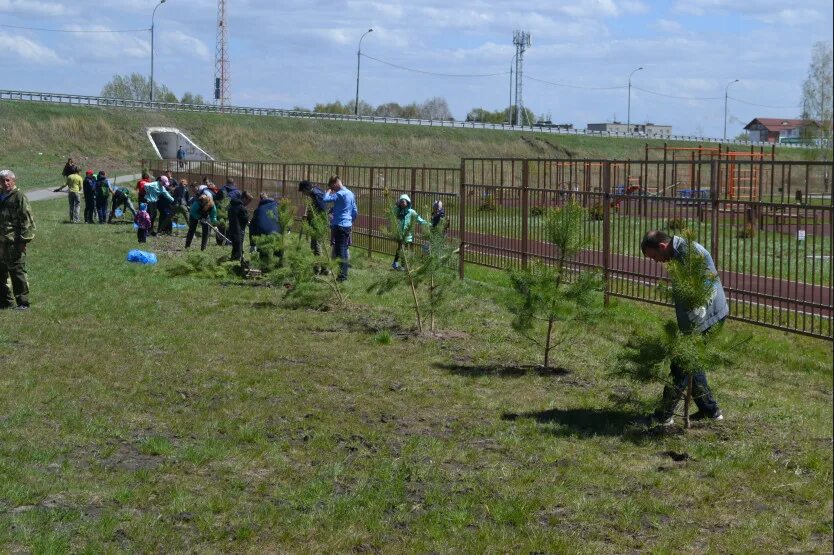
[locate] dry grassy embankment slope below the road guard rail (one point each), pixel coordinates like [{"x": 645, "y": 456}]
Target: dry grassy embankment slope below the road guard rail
[{"x": 115, "y": 140}]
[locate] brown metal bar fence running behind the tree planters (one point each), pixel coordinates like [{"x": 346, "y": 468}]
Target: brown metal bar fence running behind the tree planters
[{"x": 767, "y": 224}]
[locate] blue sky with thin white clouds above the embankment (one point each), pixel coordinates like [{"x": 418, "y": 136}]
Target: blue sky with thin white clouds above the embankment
[{"x": 295, "y": 53}]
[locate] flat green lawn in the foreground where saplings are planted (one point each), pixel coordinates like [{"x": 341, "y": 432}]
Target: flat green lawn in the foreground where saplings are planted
[{"x": 148, "y": 413}]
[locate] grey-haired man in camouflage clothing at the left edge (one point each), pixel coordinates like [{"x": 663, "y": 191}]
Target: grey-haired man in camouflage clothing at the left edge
[{"x": 17, "y": 228}]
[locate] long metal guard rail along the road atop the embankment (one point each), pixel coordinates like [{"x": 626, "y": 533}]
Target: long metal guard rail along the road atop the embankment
[{"x": 82, "y": 100}]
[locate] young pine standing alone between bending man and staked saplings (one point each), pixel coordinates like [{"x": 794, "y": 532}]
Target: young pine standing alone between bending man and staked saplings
[{"x": 553, "y": 294}]
